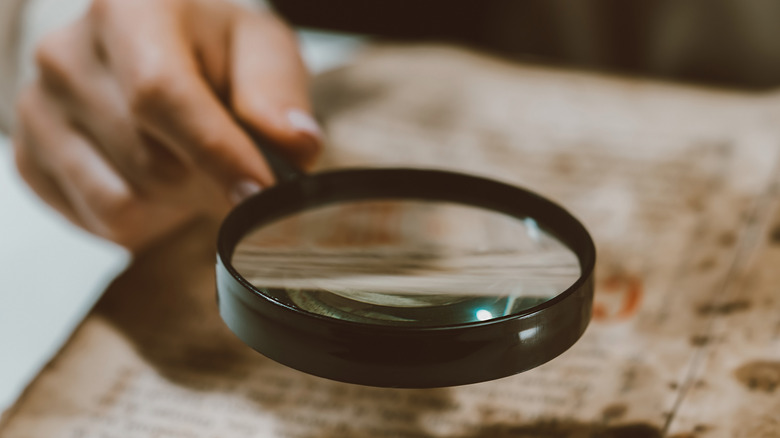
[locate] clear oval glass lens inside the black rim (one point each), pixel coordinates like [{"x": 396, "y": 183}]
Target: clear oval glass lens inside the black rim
[{"x": 406, "y": 262}]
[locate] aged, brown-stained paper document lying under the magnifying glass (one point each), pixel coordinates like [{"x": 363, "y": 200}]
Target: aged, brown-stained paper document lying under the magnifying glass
[{"x": 678, "y": 185}]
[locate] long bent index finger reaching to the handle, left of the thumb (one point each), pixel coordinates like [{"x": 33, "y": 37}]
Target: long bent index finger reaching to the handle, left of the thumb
[{"x": 169, "y": 98}]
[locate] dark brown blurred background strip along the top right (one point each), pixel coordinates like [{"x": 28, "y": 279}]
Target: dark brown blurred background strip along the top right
[{"x": 718, "y": 42}]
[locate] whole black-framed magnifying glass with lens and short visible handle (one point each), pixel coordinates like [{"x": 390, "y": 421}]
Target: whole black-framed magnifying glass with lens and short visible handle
[{"x": 403, "y": 277}]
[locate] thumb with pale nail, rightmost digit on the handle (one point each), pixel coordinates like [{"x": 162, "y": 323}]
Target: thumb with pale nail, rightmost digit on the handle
[{"x": 270, "y": 87}]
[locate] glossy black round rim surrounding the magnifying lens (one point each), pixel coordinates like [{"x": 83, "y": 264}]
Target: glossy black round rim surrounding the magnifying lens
[{"x": 403, "y": 356}]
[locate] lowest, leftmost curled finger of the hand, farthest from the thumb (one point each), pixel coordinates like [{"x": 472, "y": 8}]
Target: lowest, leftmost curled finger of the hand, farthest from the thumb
[{"x": 72, "y": 175}]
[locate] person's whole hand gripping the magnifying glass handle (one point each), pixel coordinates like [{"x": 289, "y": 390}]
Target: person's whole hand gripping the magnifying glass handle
[{"x": 130, "y": 129}]
